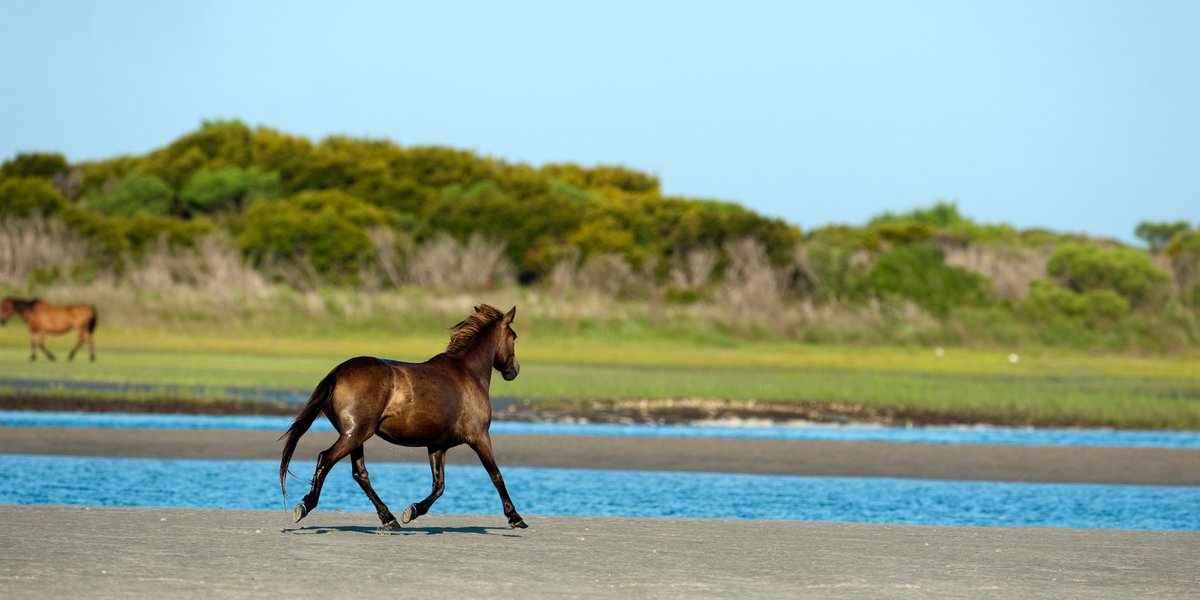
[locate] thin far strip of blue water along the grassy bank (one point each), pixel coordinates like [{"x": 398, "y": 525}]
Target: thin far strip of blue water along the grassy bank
[{"x": 959, "y": 435}]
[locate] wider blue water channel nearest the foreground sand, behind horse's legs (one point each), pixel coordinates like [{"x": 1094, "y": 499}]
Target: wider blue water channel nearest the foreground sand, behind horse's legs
[{"x": 574, "y": 493}]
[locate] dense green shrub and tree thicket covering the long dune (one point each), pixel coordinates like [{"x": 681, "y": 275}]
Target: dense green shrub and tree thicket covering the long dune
[{"x": 347, "y": 209}]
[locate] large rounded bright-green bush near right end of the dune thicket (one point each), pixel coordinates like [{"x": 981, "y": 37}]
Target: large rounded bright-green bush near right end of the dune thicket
[{"x": 1125, "y": 271}]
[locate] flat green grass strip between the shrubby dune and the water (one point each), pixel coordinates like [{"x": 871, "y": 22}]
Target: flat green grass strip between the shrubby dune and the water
[{"x": 1048, "y": 387}]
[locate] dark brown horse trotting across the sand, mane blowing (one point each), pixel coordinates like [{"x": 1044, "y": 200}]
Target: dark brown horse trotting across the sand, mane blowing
[{"x": 440, "y": 404}]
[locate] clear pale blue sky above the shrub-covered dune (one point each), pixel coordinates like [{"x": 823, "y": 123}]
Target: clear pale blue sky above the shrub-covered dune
[{"x": 1072, "y": 116}]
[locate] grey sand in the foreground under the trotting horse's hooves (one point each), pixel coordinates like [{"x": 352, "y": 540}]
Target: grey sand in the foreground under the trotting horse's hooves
[{"x": 73, "y": 553}]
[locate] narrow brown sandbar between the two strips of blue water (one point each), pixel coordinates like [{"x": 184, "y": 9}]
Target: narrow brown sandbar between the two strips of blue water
[{"x": 1136, "y": 466}]
